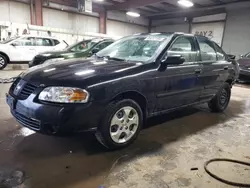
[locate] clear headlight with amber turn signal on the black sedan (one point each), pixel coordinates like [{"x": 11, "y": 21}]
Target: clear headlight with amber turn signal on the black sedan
[{"x": 64, "y": 95}]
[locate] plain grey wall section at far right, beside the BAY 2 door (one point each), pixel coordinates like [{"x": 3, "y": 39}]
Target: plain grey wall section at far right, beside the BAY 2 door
[{"x": 237, "y": 32}]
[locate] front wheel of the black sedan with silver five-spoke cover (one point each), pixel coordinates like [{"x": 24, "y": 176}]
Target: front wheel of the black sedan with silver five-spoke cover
[{"x": 116, "y": 112}]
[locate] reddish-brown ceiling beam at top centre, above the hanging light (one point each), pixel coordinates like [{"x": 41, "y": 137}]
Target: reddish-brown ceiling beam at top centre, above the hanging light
[{"x": 129, "y": 4}]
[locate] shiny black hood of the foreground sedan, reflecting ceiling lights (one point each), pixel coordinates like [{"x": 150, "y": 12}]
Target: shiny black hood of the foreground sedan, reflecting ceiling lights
[{"x": 78, "y": 72}]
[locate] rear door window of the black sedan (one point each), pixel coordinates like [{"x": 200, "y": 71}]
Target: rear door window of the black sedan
[{"x": 206, "y": 49}]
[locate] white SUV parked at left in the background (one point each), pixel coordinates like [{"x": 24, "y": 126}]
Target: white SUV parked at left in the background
[{"x": 26, "y": 47}]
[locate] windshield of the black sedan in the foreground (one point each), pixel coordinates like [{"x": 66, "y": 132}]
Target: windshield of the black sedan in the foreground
[{"x": 135, "y": 48}]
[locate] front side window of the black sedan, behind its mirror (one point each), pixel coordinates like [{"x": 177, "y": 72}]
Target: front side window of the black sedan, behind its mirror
[{"x": 184, "y": 46}]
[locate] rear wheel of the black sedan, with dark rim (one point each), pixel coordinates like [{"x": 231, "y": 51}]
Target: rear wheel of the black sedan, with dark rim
[{"x": 221, "y": 100}]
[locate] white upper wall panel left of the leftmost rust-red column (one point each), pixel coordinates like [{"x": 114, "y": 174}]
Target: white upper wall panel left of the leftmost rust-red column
[{"x": 14, "y": 12}]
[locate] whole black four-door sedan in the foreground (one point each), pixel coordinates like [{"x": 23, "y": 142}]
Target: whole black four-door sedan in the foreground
[{"x": 116, "y": 90}]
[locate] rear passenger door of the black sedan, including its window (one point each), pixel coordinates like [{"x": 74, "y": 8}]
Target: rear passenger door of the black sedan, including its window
[{"x": 215, "y": 67}]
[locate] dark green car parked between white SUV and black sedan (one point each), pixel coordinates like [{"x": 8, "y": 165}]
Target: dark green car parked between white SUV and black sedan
[{"x": 81, "y": 49}]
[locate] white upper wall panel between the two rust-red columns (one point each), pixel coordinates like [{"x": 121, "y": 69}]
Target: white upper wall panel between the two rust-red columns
[{"x": 66, "y": 20}]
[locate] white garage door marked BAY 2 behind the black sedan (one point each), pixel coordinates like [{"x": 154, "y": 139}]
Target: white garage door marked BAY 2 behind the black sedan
[{"x": 214, "y": 31}]
